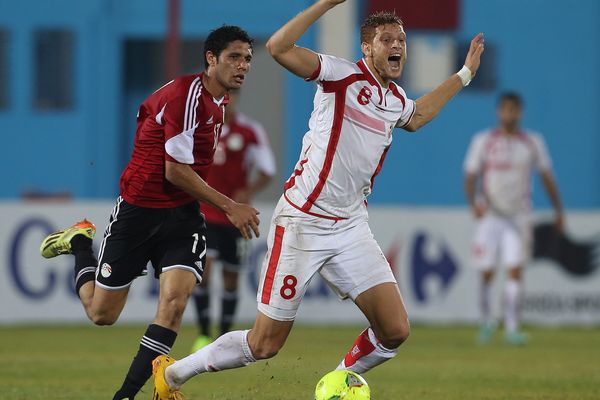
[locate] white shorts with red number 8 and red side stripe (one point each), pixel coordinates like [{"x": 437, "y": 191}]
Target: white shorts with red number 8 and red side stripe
[{"x": 343, "y": 252}]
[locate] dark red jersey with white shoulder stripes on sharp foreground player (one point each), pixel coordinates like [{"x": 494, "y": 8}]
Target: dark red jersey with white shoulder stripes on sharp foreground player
[{"x": 180, "y": 122}]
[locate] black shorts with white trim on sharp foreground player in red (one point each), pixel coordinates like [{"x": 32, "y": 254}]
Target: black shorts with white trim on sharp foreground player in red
[{"x": 167, "y": 237}]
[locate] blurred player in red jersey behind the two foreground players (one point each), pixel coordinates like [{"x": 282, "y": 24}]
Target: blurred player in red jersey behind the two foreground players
[{"x": 243, "y": 165}]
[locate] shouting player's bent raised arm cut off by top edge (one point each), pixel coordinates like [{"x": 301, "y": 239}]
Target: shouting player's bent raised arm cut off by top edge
[{"x": 282, "y": 45}]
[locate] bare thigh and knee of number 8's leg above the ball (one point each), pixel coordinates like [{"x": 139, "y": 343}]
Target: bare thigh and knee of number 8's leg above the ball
[{"x": 384, "y": 308}]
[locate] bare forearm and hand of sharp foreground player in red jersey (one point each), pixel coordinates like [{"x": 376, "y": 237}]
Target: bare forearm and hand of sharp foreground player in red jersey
[{"x": 242, "y": 216}]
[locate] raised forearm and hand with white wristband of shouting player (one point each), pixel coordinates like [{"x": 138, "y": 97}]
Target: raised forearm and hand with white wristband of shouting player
[{"x": 430, "y": 104}]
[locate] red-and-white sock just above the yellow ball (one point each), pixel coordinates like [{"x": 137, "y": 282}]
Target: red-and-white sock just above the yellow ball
[{"x": 366, "y": 353}]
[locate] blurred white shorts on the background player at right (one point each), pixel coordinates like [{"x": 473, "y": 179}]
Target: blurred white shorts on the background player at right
[{"x": 502, "y": 241}]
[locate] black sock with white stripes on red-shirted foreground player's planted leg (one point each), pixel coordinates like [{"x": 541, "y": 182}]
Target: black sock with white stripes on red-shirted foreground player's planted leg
[{"x": 156, "y": 341}]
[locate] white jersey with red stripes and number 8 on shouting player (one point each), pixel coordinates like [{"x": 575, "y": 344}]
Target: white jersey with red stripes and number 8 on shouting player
[{"x": 350, "y": 131}]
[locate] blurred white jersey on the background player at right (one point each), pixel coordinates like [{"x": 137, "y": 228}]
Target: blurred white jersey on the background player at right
[{"x": 505, "y": 162}]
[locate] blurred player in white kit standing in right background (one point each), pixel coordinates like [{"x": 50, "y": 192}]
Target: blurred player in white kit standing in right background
[{"x": 503, "y": 159}]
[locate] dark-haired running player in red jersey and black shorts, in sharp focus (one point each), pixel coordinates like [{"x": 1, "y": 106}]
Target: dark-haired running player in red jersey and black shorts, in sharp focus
[{"x": 156, "y": 217}]
